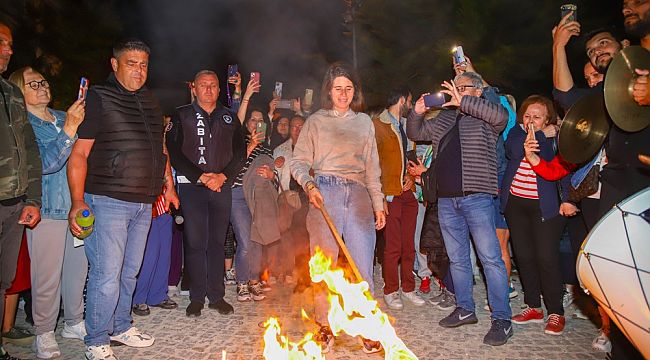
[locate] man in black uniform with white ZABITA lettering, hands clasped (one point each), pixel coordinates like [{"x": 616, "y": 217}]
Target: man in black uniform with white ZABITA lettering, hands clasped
[{"x": 206, "y": 146}]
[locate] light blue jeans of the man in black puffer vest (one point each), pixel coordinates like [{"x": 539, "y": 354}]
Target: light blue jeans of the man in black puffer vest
[{"x": 114, "y": 251}]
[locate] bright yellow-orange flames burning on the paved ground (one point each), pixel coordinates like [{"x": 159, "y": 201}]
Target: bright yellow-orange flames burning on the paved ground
[{"x": 352, "y": 311}]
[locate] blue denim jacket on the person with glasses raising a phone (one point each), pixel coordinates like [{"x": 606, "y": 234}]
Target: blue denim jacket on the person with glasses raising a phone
[{"x": 55, "y": 148}]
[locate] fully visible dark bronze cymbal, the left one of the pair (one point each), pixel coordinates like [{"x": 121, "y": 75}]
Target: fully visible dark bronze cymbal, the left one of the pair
[{"x": 584, "y": 129}]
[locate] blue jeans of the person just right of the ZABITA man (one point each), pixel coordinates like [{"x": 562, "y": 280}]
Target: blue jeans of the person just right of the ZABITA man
[{"x": 248, "y": 257}]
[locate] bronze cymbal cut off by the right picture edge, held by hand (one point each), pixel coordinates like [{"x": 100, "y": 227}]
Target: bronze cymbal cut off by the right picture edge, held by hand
[{"x": 619, "y": 82}]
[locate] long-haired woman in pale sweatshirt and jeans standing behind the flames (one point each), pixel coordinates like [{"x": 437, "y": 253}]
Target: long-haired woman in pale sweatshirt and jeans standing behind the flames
[{"x": 338, "y": 143}]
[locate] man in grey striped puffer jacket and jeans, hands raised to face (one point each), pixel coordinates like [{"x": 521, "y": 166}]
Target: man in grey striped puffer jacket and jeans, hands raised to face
[{"x": 464, "y": 148}]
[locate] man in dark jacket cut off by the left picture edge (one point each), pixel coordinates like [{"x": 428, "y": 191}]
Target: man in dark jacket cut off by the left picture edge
[{"x": 20, "y": 194}]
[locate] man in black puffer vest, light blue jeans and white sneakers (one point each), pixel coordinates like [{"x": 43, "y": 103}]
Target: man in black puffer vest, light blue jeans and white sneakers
[{"x": 117, "y": 169}]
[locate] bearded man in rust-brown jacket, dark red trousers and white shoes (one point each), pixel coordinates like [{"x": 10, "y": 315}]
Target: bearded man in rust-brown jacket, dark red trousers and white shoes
[{"x": 400, "y": 204}]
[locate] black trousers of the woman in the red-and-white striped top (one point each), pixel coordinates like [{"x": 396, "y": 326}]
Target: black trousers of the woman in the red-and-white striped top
[{"x": 536, "y": 245}]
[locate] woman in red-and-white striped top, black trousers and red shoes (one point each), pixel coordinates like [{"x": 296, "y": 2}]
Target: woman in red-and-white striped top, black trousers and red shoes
[{"x": 536, "y": 216}]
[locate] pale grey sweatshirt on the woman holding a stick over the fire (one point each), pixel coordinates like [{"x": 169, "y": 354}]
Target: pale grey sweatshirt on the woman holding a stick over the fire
[{"x": 339, "y": 146}]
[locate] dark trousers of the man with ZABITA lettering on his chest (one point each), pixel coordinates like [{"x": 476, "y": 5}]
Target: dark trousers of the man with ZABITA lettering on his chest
[{"x": 207, "y": 214}]
